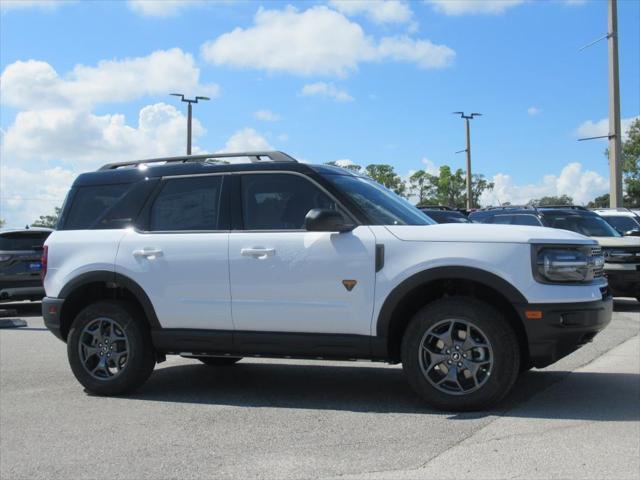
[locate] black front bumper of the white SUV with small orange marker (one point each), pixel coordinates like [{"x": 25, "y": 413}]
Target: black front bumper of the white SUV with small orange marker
[{"x": 563, "y": 327}]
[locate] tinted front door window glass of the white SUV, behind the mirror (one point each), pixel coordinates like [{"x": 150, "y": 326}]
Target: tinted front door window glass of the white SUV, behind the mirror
[{"x": 280, "y": 201}]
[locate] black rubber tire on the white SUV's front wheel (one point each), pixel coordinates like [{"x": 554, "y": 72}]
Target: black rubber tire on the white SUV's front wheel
[{"x": 501, "y": 338}]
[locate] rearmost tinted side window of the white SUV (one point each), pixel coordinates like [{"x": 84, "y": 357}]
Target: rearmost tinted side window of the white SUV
[{"x": 90, "y": 203}]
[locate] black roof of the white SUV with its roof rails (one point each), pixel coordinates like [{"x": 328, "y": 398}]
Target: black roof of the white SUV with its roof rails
[{"x": 130, "y": 172}]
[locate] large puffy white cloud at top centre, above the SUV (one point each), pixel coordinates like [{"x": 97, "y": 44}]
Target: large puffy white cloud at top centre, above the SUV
[{"x": 317, "y": 41}]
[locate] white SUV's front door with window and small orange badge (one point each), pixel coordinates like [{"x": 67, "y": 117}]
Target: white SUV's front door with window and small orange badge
[{"x": 285, "y": 279}]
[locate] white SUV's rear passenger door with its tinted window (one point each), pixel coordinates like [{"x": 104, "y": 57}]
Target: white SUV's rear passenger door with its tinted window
[{"x": 180, "y": 259}]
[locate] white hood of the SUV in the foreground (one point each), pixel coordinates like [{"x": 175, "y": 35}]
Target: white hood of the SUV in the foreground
[{"x": 485, "y": 233}]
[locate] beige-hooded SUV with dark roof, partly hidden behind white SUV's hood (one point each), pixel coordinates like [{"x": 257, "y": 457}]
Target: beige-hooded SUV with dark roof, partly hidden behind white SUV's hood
[{"x": 621, "y": 254}]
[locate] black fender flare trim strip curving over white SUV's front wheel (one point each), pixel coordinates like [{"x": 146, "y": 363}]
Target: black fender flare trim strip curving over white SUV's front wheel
[{"x": 477, "y": 275}]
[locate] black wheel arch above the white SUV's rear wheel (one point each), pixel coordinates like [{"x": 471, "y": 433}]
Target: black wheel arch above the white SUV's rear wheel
[{"x": 98, "y": 285}]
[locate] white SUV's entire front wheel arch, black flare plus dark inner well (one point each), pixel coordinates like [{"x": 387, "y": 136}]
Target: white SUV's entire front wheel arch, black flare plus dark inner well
[{"x": 426, "y": 286}]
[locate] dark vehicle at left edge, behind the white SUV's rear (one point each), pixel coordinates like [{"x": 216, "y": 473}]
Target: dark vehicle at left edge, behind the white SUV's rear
[{"x": 20, "y": 264}]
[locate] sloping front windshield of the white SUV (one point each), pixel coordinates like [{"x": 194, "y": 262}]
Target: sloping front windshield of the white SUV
[{"x": 381, "y": 205}]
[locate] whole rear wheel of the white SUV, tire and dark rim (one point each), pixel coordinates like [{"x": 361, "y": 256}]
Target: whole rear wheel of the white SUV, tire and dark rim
[{"x": 109, "y": 348}]
